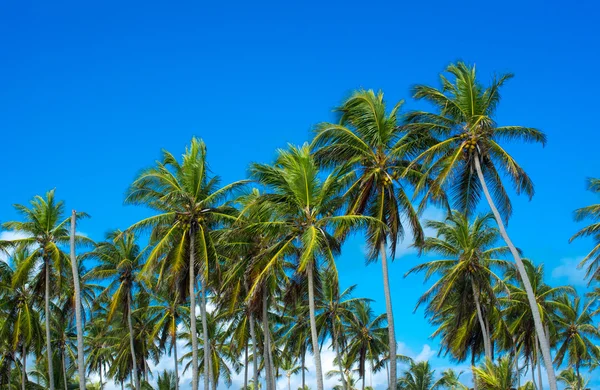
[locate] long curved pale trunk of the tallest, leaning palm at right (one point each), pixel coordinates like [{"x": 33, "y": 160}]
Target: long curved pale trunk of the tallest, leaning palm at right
[{"x": 539, "y": 327}]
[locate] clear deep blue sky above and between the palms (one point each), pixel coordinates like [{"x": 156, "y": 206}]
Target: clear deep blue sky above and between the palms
[{"x": 91, "y": 92}]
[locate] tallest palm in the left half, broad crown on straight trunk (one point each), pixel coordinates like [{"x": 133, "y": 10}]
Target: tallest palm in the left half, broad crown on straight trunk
[{"x": 190, "y": 205}]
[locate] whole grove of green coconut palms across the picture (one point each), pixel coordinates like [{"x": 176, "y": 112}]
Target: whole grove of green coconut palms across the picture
[{"x": 244, "y": 274}]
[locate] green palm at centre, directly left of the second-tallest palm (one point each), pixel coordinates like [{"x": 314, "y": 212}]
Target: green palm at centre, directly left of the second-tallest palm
[{"x": 305, "y": 206}]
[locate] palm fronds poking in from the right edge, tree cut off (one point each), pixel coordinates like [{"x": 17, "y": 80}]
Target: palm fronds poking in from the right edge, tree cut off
[{"x": 592, "y": 259}]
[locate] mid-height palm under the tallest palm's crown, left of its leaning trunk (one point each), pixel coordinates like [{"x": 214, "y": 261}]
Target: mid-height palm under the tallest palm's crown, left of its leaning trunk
[{"x": 469, "y": 256}]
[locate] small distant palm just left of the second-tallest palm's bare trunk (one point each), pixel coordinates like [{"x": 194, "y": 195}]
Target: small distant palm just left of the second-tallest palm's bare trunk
[{"x": 367, "y": 336}]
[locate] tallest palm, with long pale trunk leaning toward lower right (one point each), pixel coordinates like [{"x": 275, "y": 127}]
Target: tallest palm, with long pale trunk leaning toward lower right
[{"x": 466, "y": 157}]
